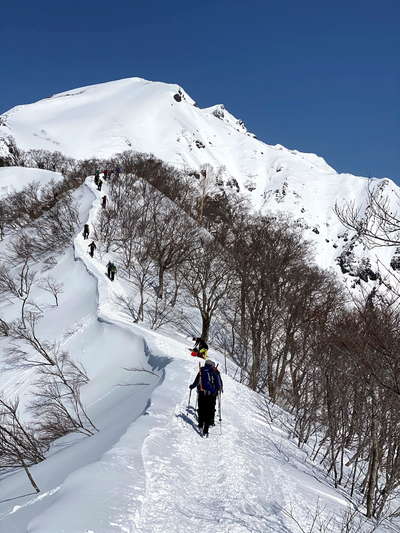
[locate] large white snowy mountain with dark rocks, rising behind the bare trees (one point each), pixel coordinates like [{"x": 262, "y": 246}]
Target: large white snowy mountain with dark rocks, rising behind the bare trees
[{"x": 160, "y": 118}]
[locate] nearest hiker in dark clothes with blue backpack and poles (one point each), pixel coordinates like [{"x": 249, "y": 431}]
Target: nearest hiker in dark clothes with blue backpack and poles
[{"x": 209, "y": 385}]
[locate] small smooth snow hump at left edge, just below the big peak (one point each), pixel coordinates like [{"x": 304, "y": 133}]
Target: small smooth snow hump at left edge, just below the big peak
[{"x": 13, "y": 179}]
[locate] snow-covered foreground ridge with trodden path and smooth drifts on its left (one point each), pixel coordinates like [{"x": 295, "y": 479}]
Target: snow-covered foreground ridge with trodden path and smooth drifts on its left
[{"x": 148, "y": 470}]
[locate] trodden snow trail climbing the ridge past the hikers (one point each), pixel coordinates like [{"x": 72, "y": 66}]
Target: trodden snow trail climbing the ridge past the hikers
[{"x": 234, "y": 482}]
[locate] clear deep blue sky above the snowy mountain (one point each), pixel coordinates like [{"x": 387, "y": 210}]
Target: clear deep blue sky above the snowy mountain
[{"x": 319, "y": 76}]
